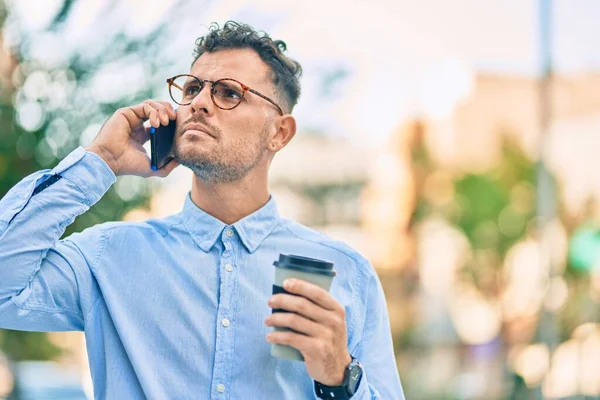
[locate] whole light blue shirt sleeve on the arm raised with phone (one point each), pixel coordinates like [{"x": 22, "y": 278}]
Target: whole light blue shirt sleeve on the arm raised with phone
[{"x": 45, "y": 283}]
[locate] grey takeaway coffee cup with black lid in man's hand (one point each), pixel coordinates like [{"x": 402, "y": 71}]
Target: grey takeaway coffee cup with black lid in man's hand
[{"x": 315, "y": 271}]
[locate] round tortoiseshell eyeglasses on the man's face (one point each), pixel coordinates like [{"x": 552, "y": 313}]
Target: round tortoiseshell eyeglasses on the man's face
[{"x": 226, "y": 93}]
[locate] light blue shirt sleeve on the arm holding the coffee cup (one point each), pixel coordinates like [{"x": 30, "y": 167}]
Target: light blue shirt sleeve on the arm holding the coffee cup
[{"x": 375, "y": 349}]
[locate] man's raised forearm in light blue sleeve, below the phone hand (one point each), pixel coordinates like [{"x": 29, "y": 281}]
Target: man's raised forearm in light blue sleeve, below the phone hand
[{"x": 35, "y": 213}]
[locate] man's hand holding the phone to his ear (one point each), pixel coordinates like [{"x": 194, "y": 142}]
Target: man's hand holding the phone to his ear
[{"x": 120, "y": 140}]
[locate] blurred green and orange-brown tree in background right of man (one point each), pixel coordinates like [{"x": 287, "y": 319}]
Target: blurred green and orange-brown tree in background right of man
[{"x": 493, "y": 208}]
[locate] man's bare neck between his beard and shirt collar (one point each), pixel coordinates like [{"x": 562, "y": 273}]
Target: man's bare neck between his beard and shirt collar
[{"x": 230, "y": 202}]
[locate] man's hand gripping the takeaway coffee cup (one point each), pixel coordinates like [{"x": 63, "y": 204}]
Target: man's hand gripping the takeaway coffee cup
[{"x": 320, "y": 323}]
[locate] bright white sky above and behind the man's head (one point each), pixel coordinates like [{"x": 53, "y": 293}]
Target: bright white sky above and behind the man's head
[{"x": 390, "y": 59}]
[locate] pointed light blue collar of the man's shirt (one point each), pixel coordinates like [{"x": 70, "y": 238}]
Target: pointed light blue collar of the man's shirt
[{"x": 252, "y": 229}]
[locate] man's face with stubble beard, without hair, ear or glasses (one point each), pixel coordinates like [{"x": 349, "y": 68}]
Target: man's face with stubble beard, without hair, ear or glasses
[{"x": 226, "y": 144}]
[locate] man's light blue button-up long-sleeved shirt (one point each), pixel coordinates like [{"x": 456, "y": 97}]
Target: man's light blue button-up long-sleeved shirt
[{"x": 174, "y": 308}]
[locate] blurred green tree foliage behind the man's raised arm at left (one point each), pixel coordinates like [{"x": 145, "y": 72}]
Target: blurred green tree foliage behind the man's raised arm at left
[{"x": 55, "y": 93}]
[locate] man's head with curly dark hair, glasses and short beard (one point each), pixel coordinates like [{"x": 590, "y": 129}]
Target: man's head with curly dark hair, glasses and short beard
[{"x": 219, "y": 139}]
